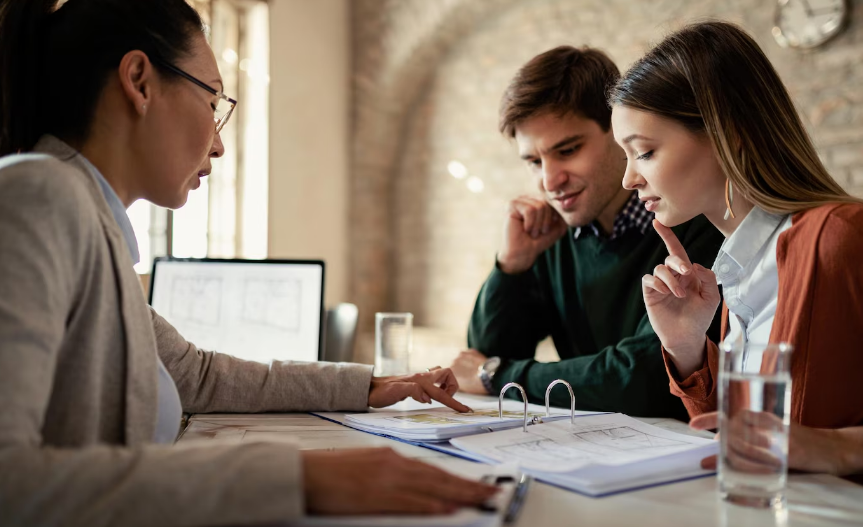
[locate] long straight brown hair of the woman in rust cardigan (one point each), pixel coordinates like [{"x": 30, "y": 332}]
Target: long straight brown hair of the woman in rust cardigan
[{"x": 713, "y": 78}]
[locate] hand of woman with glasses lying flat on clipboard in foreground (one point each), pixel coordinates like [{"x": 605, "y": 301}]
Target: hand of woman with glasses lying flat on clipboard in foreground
[{"x": 379, "y": 481}]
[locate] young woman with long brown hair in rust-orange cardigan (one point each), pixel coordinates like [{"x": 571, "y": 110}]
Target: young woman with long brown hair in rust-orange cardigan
[{"x": 709, "y": 128}]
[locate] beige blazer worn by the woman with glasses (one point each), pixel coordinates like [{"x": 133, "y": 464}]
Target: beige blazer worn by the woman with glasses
[{"x": 78, "y": 377}]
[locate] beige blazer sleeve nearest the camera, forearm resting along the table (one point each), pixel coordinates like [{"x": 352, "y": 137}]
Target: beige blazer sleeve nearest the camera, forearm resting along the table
[{"x": 44, "y": 237}]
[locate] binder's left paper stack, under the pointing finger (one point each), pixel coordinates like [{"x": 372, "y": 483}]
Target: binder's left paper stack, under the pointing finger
[{"x": 442, "y": 424}]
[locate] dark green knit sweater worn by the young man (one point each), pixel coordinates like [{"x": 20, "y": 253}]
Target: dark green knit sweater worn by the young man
[{"x": 586, "y": 294}]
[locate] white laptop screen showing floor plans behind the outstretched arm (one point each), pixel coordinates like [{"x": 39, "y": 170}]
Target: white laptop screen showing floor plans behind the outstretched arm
[{"x": 257, "y": 310}]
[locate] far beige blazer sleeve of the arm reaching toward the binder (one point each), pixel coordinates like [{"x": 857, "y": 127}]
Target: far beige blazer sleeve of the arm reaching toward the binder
[{"x": 215, "y": 382}]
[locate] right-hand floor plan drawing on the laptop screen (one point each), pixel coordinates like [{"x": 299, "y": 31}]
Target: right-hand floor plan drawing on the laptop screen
[{"x": 276, "y": 304}]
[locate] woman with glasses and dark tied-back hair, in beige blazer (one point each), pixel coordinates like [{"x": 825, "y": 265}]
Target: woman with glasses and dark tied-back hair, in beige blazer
[{"x": 102, "y": 103}]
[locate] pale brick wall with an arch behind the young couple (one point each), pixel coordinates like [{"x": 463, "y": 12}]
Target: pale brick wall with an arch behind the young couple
[{"x": 428, "y": 75}]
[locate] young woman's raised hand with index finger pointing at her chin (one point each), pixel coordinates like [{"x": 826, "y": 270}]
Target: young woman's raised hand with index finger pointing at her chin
[{"x": 681, "y": 299}]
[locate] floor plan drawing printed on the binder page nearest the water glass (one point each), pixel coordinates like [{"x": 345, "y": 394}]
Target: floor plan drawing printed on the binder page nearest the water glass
[{"x": 589, "y": 444}]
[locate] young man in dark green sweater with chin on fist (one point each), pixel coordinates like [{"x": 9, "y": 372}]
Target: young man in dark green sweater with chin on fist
[{"x": 571, "y": 261}]
